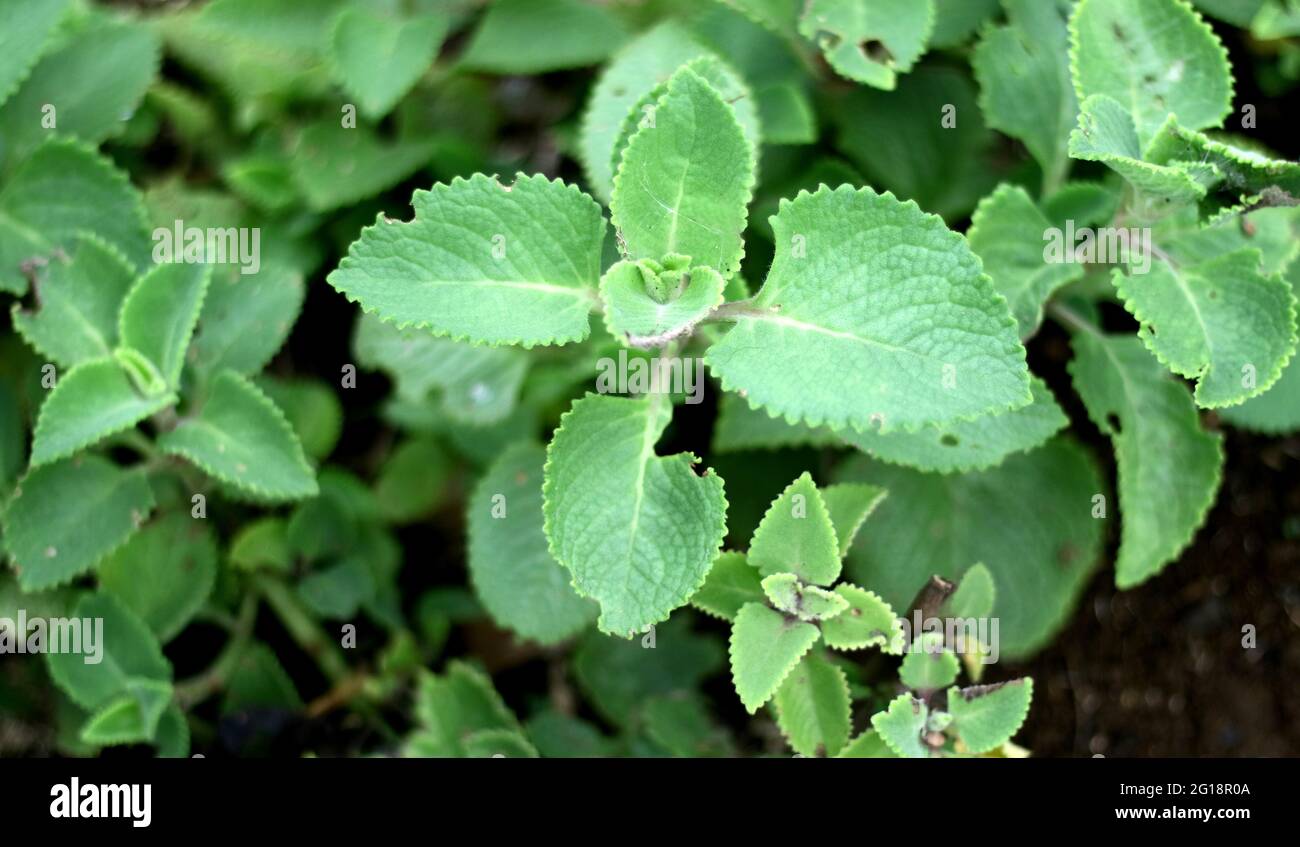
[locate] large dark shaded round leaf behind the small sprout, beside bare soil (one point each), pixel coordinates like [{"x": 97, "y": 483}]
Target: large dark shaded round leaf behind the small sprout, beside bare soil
[{"x": 939, "y": 525}]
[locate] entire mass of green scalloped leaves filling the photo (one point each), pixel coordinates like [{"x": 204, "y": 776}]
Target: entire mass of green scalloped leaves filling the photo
[{"x": 164, "y": 464}]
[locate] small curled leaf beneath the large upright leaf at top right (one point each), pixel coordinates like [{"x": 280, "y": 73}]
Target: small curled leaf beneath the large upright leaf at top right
[{"x": 1107, "y": 134}]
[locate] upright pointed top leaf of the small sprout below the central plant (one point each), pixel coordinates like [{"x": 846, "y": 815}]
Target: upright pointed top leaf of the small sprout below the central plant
[{"x": 796, "y": 536}]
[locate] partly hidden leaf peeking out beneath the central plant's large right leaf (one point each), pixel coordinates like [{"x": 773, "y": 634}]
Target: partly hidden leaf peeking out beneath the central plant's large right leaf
[{"x": 969, "y": 445}]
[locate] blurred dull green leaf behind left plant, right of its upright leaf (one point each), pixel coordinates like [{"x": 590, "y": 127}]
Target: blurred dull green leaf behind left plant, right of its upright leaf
[{"x": 246, "y": 319}]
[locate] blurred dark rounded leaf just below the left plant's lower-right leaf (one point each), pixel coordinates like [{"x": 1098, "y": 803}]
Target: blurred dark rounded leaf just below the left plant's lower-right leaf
[{"x": 164, "y": 574}]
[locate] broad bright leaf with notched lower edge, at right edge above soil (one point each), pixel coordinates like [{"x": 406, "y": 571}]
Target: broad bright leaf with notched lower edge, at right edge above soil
[{"x": 1221, "y": 323}]
